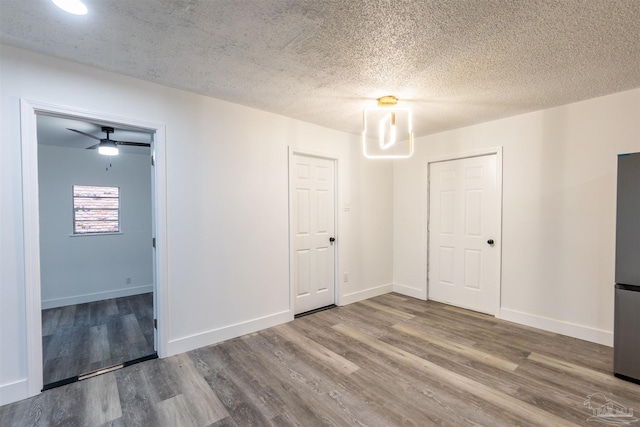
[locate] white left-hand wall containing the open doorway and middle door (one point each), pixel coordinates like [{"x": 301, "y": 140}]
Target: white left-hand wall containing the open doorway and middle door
[{"x": 227, "y": 196}]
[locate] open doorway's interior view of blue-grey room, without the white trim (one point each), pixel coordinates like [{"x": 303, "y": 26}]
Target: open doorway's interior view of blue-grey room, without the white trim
[{"x": 96, "y": 256}]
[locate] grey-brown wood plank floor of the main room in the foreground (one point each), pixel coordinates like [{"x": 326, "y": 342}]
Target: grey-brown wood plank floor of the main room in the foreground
[{"x": 388, "y": 361}]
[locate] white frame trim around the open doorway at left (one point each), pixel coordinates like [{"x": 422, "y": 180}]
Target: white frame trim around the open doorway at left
[{"x": 29, "y": 109}]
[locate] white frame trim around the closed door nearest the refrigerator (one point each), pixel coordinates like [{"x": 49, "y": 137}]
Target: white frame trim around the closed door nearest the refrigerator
[{"x": 465, "y": 155}]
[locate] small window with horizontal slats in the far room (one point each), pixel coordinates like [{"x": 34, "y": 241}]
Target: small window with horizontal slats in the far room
[{"x": 96, "y": 209}]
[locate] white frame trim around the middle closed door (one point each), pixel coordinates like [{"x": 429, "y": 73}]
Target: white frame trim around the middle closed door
[{"x": 336, "y": 158}]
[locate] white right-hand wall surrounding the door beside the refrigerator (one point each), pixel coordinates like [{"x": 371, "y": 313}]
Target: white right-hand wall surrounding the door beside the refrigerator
[{"x": 559, "y": 183}]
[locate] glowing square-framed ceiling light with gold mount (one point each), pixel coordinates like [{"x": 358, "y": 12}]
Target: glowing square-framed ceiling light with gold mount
[{"x": 387, "y": 130}]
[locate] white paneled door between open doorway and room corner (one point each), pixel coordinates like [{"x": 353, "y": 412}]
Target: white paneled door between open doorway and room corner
[{"x": 312, "y": 229}]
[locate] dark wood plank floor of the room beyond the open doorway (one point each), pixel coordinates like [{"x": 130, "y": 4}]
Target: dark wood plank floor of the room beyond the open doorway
[{"x": 84, "y": 337}]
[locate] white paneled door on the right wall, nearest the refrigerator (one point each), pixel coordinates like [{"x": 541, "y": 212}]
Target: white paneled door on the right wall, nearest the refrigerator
[{"x": 463, "y": 221}]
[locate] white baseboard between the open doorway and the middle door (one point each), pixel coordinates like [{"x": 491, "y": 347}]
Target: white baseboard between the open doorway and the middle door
[{"x": 214, "y": 336}]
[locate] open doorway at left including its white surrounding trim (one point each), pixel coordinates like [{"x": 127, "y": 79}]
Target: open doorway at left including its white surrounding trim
[{"x": 81, "y": 306}]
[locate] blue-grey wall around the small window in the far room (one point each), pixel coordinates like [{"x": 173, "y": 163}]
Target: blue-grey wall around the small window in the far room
[{"x": 73, "y": 268}]
